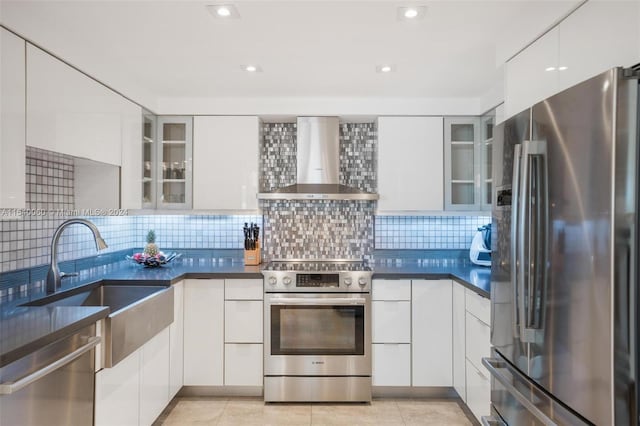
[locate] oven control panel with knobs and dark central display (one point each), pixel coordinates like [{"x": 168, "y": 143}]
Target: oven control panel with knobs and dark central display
[{"x": 305, "y": 282}]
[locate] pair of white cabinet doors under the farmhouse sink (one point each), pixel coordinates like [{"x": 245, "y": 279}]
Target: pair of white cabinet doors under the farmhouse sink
[{"x": 136, "y": 390}]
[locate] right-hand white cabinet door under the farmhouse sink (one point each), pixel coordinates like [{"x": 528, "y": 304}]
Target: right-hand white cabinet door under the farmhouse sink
[{"x": 154, "y": 377}]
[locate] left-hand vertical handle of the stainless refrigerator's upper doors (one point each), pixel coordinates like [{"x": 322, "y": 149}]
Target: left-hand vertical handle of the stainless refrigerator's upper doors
[{"x": 515, "y": 198}]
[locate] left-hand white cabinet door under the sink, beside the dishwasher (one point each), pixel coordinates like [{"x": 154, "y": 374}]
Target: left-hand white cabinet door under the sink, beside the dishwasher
[{"x": 117, "y": 393}]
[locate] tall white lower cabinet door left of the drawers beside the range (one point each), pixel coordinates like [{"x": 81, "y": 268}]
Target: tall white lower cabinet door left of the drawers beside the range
[{"x": 204, "y": 332}]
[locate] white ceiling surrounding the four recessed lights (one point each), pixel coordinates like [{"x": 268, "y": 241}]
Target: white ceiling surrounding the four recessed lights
[{"x": 151, "y": 50}]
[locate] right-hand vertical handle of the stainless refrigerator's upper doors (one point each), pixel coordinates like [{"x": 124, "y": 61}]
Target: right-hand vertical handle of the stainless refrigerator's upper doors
[{"x": 532, "y": 219}]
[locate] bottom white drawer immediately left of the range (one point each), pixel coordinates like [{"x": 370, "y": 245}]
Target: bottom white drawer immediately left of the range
[{"x": 243, "y": 364}]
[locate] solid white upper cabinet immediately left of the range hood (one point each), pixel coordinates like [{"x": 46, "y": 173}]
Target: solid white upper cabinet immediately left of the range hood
[{"x": 225, "y": 169}]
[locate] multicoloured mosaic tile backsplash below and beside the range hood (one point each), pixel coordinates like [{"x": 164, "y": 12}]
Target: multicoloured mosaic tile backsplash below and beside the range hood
[{"x": 318, "y": 229}]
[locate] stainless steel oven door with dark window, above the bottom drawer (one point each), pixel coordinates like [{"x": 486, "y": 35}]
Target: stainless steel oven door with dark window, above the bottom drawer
[{"x": 317, "y": 334}]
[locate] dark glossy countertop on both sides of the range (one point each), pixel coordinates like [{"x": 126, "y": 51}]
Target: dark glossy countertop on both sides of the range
[{"x": 25, "y": 329}]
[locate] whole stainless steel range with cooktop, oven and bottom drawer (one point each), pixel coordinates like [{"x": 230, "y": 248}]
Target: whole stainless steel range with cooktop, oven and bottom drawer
[{"x": 317, "y": 331}]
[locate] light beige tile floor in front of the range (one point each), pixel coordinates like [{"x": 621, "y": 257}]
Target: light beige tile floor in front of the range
[{"x": 243, "y": 411}]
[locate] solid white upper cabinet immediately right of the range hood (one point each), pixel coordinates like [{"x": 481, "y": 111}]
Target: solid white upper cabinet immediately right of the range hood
[{"x": 410, "y": 164}]
